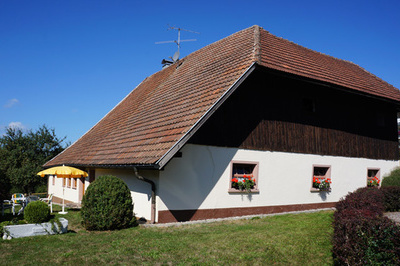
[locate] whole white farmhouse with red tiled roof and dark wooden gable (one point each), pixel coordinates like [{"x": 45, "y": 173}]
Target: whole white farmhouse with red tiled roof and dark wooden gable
[{"x": 253, "y": 107}]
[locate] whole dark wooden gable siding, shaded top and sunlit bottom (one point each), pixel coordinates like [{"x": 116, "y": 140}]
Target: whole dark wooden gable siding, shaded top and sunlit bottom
[{"x": 275, "y": 113}]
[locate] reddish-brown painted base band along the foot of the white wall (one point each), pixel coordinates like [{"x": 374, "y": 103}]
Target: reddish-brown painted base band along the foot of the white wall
[{"x": 171, "y": 216}]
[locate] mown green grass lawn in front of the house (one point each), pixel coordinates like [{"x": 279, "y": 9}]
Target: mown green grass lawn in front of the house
[{"x": 302, "y": 239}]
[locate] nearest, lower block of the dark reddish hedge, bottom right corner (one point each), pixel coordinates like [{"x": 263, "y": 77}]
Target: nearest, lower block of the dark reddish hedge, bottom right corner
[{"x": 360, "y": 240}]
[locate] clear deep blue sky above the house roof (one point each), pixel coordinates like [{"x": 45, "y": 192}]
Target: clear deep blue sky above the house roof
[{"x": 66, "y": 64}]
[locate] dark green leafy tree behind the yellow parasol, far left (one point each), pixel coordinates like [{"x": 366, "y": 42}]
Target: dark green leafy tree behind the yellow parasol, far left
[{"x": 23, "y": 154}]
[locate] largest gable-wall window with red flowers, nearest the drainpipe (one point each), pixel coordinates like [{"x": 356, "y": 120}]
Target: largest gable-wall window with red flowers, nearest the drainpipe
[{"x": 243, "y": 177}]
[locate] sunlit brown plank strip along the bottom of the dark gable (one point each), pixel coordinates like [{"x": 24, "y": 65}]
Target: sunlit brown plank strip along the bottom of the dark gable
[{"x": 295, "y": 137}]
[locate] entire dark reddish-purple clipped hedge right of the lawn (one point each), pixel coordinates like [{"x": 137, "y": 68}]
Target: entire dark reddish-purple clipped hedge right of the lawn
[{"x": 362, "y": 235}]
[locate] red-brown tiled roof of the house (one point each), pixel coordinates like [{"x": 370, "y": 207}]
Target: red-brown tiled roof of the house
[{"x": 157, "y": 115}]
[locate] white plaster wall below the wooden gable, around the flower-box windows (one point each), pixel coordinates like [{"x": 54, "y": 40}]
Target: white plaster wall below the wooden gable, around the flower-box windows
[{"x": 200, "y": 179}]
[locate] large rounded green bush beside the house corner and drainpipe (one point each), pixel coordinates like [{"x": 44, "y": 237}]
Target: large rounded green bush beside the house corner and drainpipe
[{"x": 107, "y": 205}]
